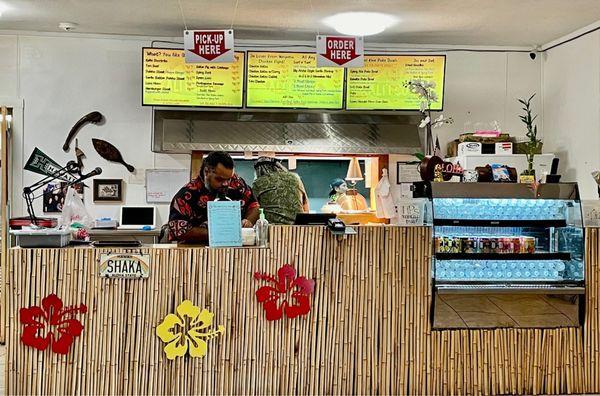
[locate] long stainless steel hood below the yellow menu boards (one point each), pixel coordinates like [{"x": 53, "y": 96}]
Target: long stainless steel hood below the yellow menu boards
[{"x": 181, "y": 131}]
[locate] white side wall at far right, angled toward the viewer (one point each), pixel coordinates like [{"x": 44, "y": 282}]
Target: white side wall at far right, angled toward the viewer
[{"x": 571, "y": 87}]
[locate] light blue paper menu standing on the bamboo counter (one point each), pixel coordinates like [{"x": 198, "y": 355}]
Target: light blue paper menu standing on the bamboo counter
[{"x": 224, "y": 223}]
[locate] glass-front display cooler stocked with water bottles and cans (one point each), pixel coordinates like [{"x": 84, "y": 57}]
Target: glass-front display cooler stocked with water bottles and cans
[{"x": 507, "y": 255}]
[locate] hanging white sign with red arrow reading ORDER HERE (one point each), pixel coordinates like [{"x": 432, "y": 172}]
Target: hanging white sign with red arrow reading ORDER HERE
[{"x": 340, "y": 51}]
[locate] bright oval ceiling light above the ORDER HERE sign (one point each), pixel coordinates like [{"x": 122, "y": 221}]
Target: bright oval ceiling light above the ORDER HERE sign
[{"x": 360, "y": 23}]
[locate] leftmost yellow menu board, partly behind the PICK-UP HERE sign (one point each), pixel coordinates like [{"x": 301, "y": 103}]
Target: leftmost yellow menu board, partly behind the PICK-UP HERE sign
[{"x": 169, "y": 81}]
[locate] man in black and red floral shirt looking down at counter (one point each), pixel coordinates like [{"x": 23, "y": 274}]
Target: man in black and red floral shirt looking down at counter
[{"x": 188, "y": 216}]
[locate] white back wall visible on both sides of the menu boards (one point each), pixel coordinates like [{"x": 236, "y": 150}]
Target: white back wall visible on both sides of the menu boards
[{"x": 60, "y": 78}]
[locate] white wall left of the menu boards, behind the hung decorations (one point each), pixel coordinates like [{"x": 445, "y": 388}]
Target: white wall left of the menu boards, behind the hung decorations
[{"x": 60, "y": 80}]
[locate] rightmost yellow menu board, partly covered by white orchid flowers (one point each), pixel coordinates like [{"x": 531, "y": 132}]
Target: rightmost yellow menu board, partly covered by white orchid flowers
[{"x": 379, "y": 85}]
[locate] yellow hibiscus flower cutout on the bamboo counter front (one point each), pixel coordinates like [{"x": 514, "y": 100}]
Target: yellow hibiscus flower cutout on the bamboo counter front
[{"x": 187, "y": 331}]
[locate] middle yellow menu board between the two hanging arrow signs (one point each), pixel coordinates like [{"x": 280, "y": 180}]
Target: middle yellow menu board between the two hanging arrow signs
[{"x": 292, "y": 80}]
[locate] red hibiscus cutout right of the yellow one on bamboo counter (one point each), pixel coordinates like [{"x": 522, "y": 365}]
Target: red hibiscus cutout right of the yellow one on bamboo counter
[{"x": 287, "y": 294}]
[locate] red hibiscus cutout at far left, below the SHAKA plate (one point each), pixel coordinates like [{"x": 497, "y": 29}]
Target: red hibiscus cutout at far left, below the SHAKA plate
[{"x": 51, "y": 325}]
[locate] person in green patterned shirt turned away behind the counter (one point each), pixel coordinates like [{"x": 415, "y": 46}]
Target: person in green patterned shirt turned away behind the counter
[{"x": 281, "y": 193}]
